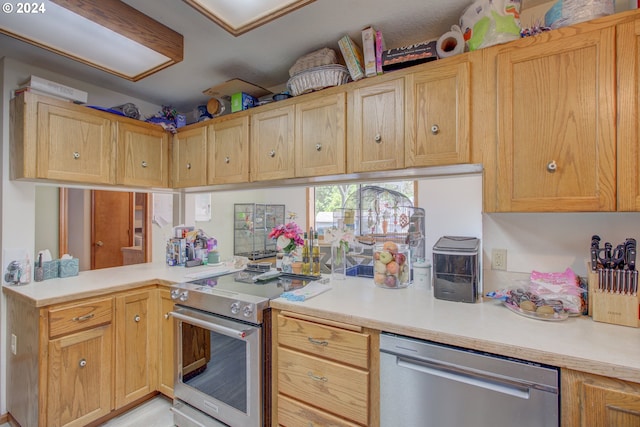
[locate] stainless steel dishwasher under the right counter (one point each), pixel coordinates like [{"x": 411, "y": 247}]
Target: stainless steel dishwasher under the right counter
[{"x": 425, "y": 384}]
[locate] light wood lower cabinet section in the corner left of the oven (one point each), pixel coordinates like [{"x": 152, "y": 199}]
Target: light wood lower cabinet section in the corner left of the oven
[{"x": 75, "y": 363}]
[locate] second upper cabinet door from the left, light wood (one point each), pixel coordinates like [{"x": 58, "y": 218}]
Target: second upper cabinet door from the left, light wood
[{"x": 143, "y": 155}]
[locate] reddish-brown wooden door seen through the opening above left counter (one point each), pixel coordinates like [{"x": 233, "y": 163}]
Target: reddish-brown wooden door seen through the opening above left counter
[{"x": 111, "y": 227}]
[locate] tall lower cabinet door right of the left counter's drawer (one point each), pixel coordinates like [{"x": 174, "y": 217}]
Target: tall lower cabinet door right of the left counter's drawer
[{"x": 135, "y": 346}]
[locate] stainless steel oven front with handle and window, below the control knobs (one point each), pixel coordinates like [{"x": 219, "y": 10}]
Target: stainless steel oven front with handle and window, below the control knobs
[{"x": 219, "y": 370}]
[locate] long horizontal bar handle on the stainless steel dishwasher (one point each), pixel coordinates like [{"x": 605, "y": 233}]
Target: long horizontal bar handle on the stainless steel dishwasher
[{"x": 458, "y": 374}]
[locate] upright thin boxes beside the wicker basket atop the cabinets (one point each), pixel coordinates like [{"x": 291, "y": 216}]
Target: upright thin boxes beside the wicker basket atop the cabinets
[{"x": 366, "y": 61}]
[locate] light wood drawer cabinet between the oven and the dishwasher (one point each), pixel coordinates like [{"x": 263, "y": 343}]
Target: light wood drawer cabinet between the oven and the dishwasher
[{"x": 325, "y": 373}]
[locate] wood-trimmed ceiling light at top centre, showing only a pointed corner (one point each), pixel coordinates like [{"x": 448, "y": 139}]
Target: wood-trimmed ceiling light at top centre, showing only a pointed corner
[{"x": 240, "y": 16}]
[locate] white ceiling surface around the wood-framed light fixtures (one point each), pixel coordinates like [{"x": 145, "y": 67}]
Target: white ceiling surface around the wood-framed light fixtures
[{"x": 261, "y": 56}]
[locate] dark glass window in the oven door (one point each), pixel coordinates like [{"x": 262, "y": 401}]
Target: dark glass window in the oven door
[{"x": 216, "y": 365}]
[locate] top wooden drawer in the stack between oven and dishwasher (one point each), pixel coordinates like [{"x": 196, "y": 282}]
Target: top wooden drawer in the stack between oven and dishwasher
[{"x": 324, "y": 341}]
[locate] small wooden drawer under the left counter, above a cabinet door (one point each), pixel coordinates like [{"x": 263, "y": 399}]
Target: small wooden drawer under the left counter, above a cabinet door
[{"x": 71, "y": 318}]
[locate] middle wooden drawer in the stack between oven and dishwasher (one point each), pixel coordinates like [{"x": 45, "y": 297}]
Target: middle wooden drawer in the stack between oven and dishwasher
[{"x": 336, "y": 388}]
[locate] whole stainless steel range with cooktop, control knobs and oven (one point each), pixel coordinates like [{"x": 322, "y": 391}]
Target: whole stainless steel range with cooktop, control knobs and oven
[{"x": 223, "y": 347}]
